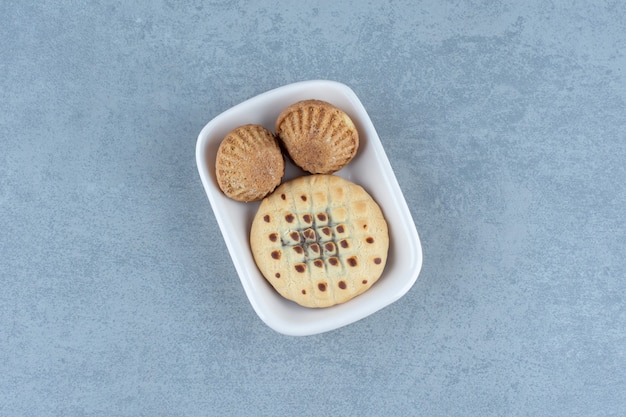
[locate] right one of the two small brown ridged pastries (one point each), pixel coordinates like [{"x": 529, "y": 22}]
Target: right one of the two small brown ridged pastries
[{"x": 318, "y": 137}]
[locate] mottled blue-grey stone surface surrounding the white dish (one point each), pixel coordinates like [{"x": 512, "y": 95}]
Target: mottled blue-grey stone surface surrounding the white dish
[{"x": 505, "y": 125}]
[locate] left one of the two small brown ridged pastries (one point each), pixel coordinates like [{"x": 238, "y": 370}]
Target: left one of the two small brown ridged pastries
[{"x": 249, "y": 163}]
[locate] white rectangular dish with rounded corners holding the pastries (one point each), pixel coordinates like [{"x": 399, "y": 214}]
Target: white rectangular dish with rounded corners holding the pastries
[{"x": 370, "y": 168}]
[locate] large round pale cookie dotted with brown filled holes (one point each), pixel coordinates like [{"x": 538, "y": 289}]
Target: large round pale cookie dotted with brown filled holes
[{"x": 320, "y": 240}]
